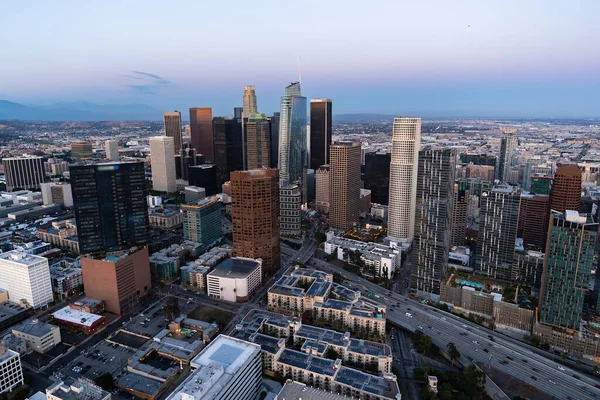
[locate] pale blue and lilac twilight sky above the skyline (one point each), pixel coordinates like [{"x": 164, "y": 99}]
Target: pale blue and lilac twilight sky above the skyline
[{"x": 433, "y": 58}]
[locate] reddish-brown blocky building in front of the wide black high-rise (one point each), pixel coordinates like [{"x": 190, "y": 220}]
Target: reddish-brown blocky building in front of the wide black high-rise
[{"x": 119, "y": 279}]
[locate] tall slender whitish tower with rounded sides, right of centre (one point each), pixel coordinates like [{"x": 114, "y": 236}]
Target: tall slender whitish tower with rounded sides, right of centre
[{"x": 406, "y": 141}]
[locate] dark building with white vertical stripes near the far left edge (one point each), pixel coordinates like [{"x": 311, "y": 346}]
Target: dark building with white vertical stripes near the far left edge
[{"x": 23, "y": 172}]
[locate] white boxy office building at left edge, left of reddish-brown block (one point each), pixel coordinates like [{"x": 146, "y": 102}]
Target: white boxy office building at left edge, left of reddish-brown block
[{"x": 26, "y": 278}]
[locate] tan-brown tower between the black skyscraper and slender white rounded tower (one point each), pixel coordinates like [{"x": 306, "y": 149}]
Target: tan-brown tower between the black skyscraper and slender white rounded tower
[{"x": 344, "y": 192}]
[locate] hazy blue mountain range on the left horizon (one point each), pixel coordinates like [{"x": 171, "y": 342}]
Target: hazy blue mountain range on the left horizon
[{"x": 78, "y": 111}]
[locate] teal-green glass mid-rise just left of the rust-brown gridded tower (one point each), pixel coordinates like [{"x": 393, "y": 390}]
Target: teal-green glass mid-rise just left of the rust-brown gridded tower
[{"x": 202, "y": 222}]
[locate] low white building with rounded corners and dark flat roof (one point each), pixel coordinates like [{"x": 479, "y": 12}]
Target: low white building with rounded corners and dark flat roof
[{"x": 235, "y": 279}]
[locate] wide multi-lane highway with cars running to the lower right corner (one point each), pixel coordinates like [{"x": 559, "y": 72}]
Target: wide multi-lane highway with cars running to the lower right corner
[{"x": 479, "y": 344}]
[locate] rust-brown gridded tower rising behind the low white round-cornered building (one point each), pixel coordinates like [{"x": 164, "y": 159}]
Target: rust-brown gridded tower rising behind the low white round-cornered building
[{"x": 255, "y": 216}]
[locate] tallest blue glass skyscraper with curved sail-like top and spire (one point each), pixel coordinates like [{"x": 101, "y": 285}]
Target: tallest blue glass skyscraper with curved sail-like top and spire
[{"x": 292, "y": 135}]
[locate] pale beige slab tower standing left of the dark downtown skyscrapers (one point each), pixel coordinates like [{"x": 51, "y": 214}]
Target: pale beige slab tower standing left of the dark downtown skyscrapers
[{"x": 162, "y": 158}]
